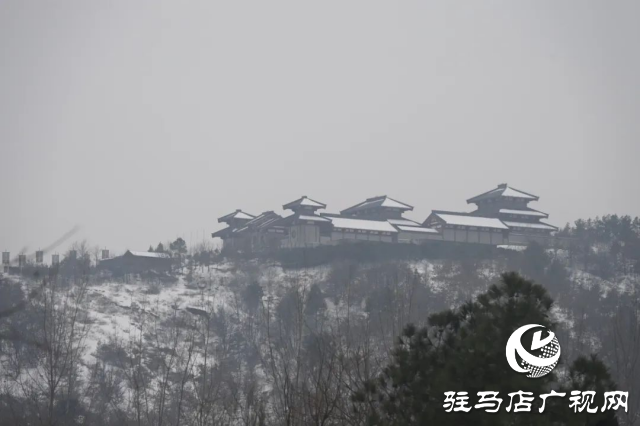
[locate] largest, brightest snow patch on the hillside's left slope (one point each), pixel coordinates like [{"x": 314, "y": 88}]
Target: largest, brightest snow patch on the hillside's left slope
[{"x": 116, "y": 306}]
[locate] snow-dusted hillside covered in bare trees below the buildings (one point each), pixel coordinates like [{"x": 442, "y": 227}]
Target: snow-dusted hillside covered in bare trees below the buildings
[{"x": 244, "y": 339}]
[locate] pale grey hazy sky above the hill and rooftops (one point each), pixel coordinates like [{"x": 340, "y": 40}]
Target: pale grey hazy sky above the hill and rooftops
[{"x": 142, "y": 121}]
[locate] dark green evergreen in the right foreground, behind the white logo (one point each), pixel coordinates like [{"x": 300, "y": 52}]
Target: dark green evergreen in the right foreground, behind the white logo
[{"x": 464, "y": 350}]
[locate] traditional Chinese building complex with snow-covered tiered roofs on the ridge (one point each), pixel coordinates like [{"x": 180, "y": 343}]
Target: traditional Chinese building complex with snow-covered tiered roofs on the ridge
[{"x": 502, "y": 217}]
